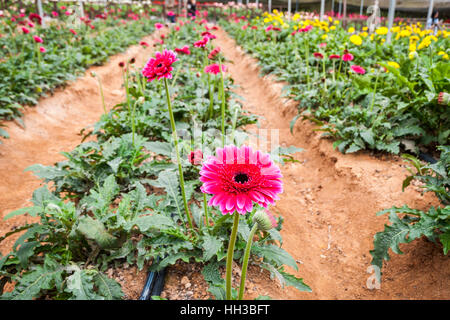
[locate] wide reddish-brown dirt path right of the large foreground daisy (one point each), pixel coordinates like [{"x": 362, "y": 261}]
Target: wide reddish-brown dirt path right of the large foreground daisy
[{"x": 330, "y": 203}]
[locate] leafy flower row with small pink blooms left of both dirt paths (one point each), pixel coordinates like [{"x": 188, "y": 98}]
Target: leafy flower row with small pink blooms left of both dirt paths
[{"x": 35, "y": 60}]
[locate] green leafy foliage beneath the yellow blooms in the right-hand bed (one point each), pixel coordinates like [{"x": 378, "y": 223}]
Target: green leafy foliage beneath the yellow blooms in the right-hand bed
[{"x": 386, "y": 109}]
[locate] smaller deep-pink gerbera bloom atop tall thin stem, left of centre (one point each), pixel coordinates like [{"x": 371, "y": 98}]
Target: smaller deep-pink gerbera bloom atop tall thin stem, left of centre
[{"x": 160, "y": 66}]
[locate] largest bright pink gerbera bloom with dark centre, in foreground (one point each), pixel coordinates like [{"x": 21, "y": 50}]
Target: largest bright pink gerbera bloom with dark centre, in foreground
[{"x": 238, "y": 177}]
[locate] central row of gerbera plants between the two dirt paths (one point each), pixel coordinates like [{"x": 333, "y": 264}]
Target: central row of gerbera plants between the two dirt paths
[{"x": 119, "y": 198}]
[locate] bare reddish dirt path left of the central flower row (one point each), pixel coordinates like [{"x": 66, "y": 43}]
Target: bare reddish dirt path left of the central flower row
[{"x": 53, "y": 126}]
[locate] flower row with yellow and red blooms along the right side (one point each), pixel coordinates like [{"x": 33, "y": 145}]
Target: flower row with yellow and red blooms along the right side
[{"x": 367, "y": 94}]
